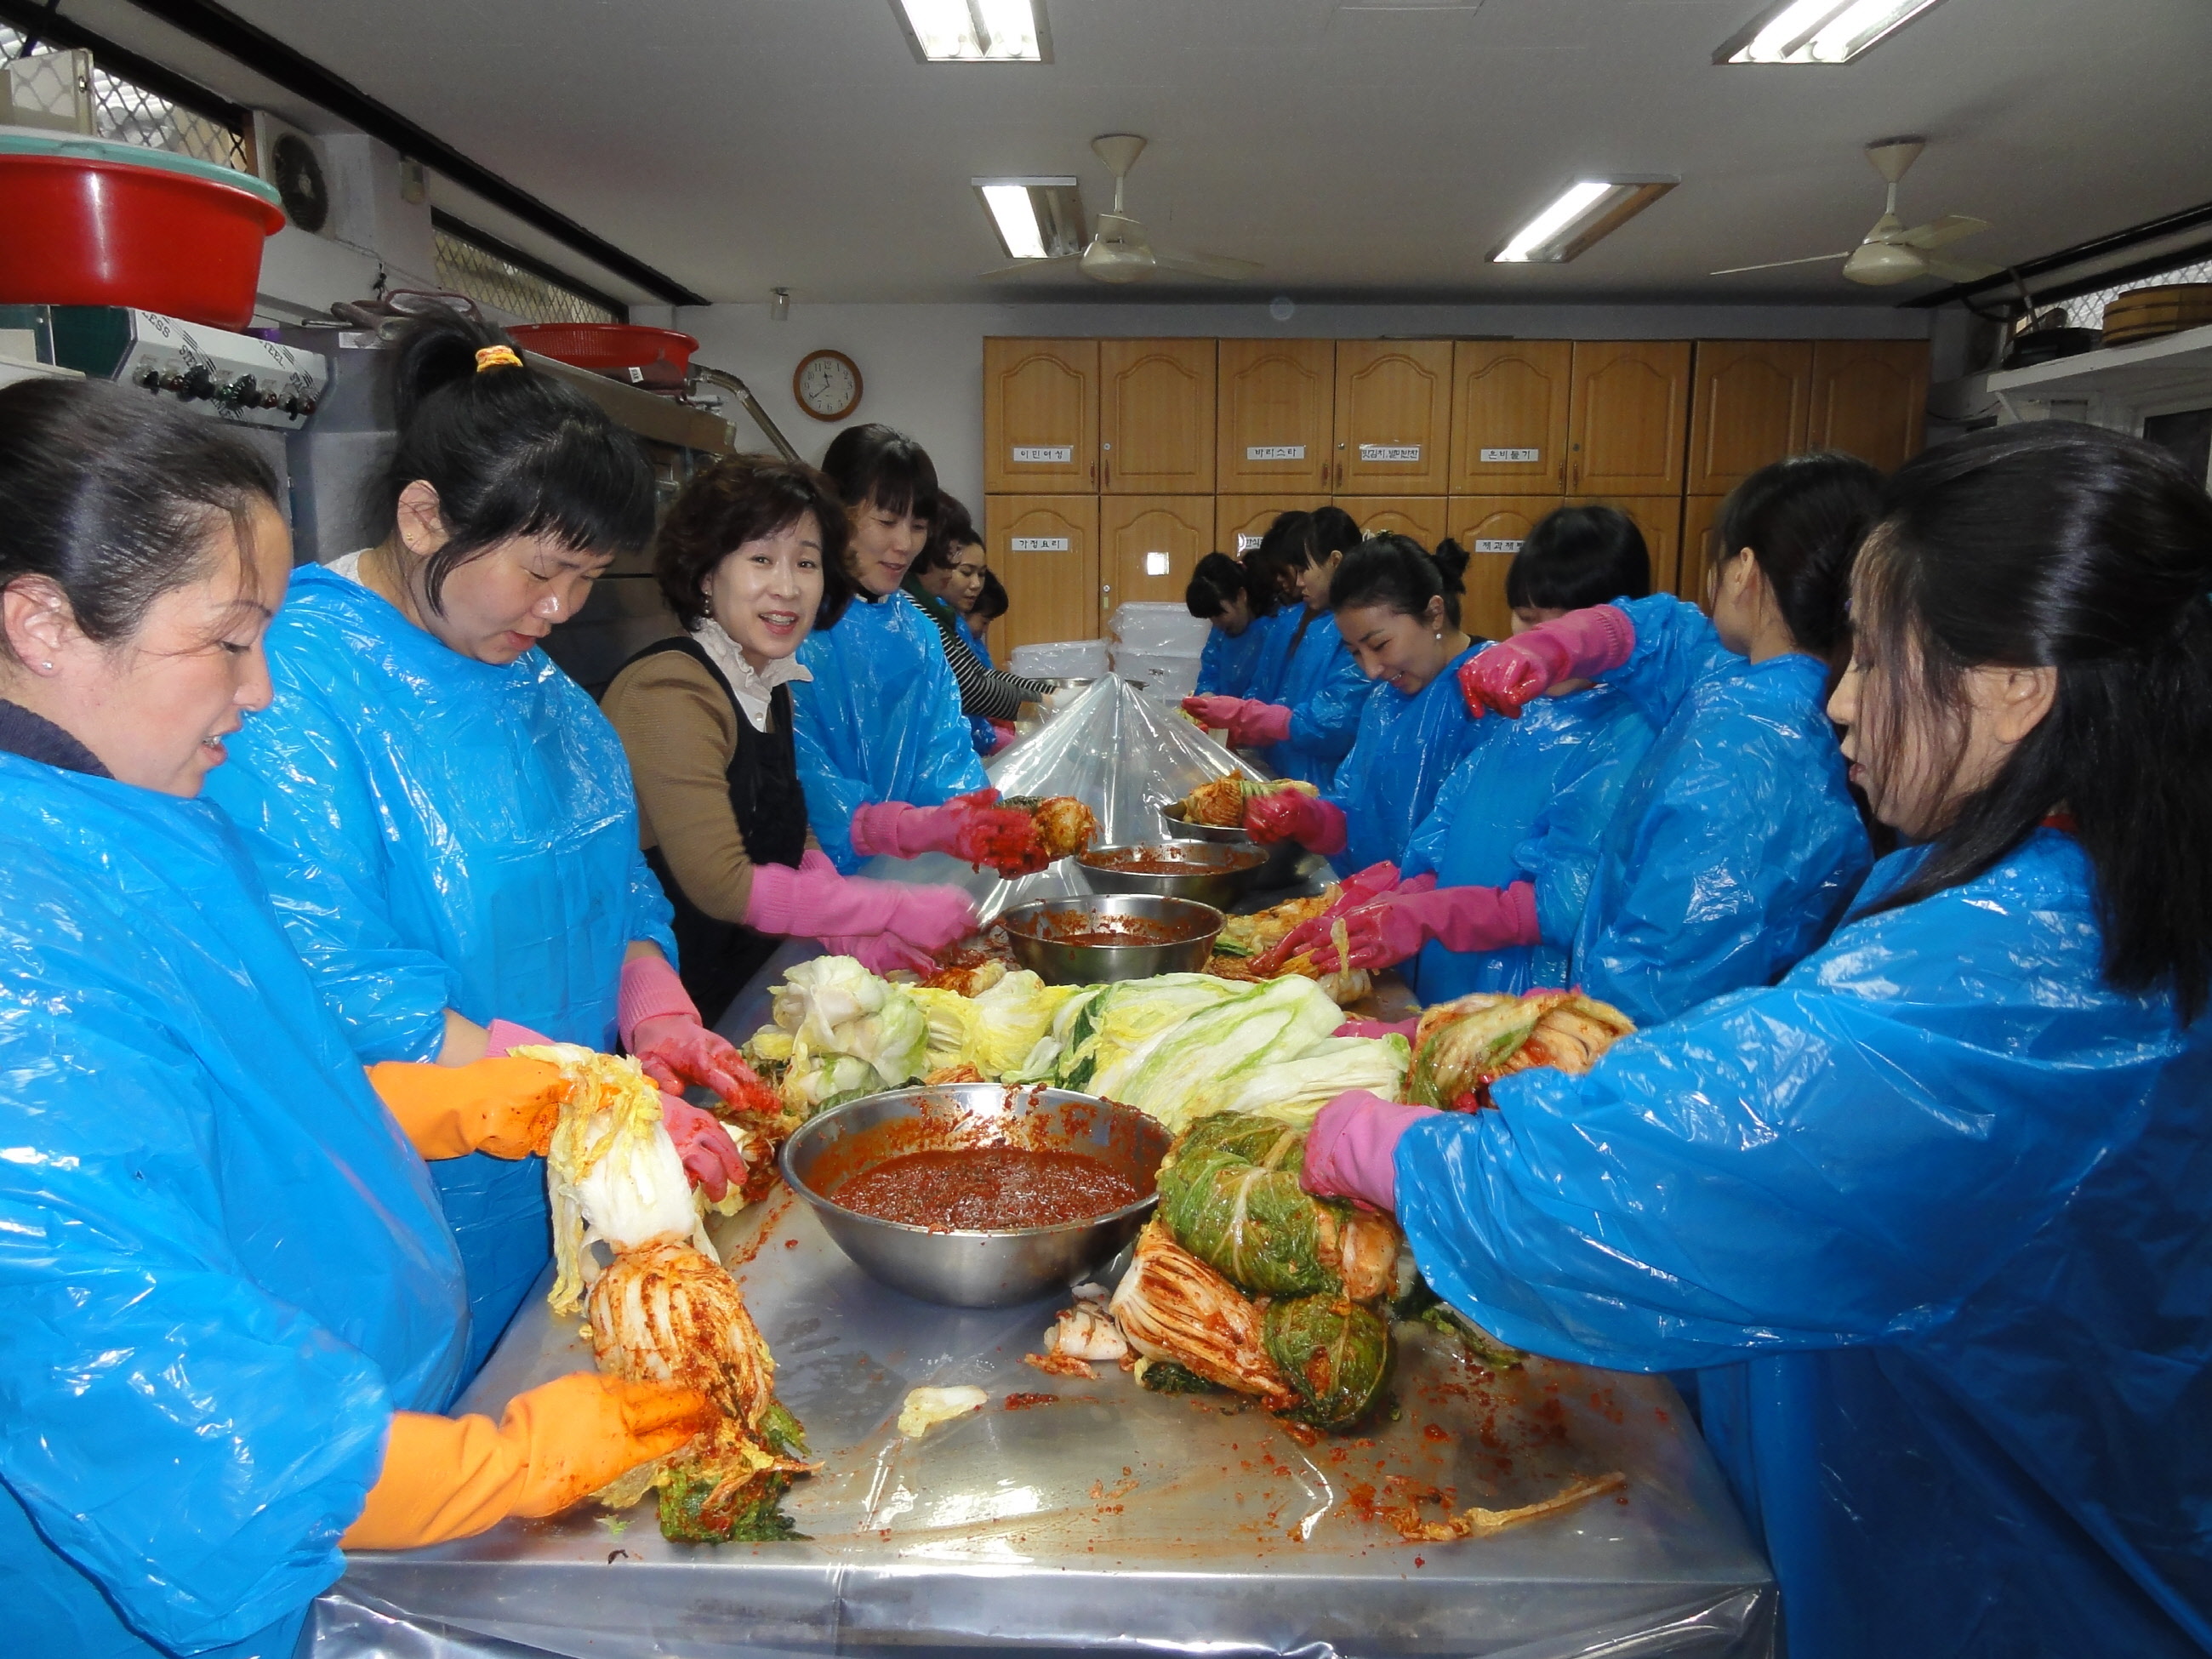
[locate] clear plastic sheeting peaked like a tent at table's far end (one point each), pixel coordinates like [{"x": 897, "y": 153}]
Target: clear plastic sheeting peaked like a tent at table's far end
[{"x": 1114, "y": 749}]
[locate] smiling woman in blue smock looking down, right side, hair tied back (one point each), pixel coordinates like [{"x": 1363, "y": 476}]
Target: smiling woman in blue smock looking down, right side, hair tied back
[{"x": 1399, "y": 609}]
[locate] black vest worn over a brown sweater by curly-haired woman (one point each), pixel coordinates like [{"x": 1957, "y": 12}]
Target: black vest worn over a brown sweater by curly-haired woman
[{"x": 771, "y": 815}]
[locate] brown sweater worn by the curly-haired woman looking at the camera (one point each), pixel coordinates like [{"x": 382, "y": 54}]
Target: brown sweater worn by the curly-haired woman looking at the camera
[{"x": 680, "y": 731}]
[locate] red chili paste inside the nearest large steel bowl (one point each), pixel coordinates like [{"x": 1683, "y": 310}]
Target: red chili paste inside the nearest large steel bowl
[{"x": 988, "y": 1189}]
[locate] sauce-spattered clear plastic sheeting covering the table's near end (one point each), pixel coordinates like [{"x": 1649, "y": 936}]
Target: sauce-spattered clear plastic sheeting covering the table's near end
[{"x": 1096, "y": 1516}]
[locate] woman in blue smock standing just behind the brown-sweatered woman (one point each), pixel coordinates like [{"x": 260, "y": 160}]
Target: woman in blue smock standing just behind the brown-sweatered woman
[{"x": 888, "y": 760}]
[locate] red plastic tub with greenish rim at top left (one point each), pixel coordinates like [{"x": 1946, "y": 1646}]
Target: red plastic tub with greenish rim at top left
[{"x": 114, "y": 225}]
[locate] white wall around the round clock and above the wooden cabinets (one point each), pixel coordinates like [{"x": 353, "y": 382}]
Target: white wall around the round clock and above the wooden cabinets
[{"x": 921, "y": 366}]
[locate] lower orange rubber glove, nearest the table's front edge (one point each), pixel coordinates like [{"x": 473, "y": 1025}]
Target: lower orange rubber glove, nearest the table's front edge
[{"x": 556, "y": 1446}]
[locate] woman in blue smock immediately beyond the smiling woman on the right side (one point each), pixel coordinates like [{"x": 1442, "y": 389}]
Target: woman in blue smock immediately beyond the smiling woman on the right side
[{"x": 1311, "y": 693}]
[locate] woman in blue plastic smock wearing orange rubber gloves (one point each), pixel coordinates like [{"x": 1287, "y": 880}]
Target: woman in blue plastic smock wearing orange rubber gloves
[{"x": 236, "y": 1311}]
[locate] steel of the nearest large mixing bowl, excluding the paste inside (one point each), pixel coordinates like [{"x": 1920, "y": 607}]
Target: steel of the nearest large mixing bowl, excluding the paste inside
[{"x": 974, "y": 1269}]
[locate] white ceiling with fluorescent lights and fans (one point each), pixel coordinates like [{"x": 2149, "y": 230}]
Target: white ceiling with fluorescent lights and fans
[{"x": 1357, "y": 154}]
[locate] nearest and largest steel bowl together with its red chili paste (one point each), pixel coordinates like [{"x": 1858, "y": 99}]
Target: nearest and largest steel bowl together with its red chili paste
[{"x": 1001, "y": 1193}]
